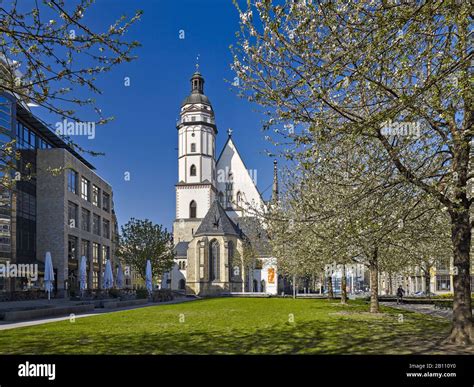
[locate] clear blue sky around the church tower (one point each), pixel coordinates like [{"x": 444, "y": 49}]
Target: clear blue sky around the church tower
[{"x": 142, "y": 139}]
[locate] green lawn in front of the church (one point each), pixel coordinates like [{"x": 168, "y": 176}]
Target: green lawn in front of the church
[{"x": 236, "y": 326}]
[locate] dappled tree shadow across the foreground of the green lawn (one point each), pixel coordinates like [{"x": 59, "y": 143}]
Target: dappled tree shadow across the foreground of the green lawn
[{"x": 340, "y": 336}]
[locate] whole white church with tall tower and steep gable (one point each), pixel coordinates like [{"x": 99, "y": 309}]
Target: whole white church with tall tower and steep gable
[{"x": 216, "y": 198}]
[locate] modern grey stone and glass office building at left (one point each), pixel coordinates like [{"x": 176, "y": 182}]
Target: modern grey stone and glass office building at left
[{"x": 57, "y": 204}]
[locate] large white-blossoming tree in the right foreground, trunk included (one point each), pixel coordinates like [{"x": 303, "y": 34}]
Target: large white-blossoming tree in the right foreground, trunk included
[{"x": 331, "y": 69}]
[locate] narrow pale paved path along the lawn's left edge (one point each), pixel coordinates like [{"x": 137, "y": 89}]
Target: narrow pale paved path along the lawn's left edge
[{"x": 20, "y": 324}]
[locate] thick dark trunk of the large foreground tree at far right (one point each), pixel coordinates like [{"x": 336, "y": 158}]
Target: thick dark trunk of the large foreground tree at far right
[{"x": 462, "y": 330}]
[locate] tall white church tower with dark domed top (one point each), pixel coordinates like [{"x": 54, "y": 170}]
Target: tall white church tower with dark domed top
[{"x": 195, "y": 190}]
